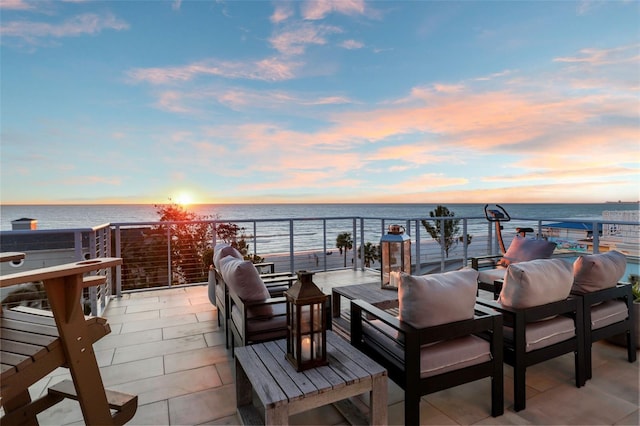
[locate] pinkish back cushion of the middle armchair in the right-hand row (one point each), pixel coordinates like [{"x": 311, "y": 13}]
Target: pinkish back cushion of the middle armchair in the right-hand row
[{"x": 536, "y": 282}]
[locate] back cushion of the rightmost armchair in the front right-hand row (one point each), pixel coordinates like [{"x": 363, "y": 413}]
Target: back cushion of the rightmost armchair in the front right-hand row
[{"x": 598, "y": 271}]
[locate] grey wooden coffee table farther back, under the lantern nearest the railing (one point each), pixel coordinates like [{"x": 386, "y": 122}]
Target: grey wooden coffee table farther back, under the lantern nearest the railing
[{"x": 370, "y": 292}]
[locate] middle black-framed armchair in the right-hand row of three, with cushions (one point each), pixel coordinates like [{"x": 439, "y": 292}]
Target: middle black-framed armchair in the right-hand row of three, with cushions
[{"x": 541, "y": 320}]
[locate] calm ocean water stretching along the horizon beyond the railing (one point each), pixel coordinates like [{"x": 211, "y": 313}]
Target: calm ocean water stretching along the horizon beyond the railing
[{"x": 86, "y": 216}]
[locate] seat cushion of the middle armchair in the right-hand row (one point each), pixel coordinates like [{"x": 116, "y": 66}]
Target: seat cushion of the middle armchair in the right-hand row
[{"x": 541, "y": 334}]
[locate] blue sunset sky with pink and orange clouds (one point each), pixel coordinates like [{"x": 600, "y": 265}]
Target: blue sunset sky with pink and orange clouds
[{"x": 344, "y": 101}]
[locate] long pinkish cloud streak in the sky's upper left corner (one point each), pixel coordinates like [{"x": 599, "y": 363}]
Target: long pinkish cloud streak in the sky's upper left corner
[{"x": 88, "y": 23}]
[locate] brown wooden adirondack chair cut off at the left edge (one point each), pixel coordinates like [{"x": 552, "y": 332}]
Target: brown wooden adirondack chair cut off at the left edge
[{"x": 36, "y": 342}]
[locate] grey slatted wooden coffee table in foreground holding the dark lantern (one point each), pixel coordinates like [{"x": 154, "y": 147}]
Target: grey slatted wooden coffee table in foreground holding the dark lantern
[{"x": 283, "y": 391}]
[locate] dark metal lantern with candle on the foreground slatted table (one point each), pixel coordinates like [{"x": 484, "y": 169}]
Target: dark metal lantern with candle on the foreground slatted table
[{"x": 306, "y": 324}]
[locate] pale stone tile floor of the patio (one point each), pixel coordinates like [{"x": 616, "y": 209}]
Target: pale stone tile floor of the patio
[{"x": 166, "y": 347}]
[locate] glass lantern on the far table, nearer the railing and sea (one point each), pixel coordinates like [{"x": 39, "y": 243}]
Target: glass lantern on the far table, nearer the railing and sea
[{"x": 395, "y": 248}]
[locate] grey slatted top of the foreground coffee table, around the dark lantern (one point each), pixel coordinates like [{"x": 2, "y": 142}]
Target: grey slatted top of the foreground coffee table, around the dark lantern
[{"x": 277, "y": 382}]
